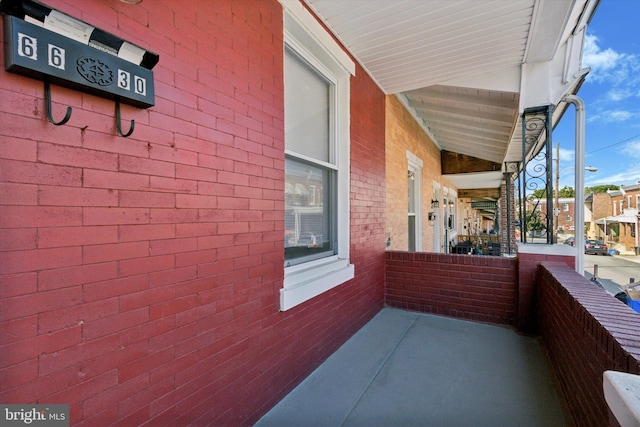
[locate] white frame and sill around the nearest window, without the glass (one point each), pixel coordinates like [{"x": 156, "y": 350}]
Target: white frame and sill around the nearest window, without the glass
[{"x": 304, "y": 35}]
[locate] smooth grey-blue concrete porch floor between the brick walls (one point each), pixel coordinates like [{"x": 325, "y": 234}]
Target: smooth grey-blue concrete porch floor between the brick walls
[{"x": 411, "y": 369}]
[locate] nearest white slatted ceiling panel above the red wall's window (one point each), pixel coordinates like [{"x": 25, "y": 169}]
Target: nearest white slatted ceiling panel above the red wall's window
[{"x": 409, "y": 44}]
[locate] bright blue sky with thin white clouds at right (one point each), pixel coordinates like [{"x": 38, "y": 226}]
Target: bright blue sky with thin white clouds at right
[{"x": 611, "y": 94}]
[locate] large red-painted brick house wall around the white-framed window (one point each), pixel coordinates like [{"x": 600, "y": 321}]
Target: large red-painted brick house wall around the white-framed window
[{"x": 140, "y": 277}]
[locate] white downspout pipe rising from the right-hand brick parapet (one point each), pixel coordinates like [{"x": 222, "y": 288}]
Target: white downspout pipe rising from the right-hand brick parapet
[{"x": 579, "y": 183}]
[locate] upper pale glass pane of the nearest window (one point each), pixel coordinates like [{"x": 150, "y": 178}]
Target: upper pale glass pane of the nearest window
[{"x": 306, "y": 113}]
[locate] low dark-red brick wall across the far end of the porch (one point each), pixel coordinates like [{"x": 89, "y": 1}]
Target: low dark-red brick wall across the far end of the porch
[{"x": 480, "y": 288}]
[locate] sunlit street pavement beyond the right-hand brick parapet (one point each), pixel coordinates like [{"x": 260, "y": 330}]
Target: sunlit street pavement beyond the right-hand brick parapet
[{"x": 613, "y": 271}]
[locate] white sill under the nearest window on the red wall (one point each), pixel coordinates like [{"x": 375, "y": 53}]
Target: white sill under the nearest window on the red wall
[{"x": 306, "y": 281}]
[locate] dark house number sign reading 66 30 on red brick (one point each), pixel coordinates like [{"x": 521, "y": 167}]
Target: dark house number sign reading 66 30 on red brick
[{"x": 39, "y": 53}]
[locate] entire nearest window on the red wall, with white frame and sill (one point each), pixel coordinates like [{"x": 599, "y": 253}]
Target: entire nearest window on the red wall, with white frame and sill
[{"x": 316, "y": 93}]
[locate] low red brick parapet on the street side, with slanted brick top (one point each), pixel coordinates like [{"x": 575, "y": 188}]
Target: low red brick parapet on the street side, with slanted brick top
[{"x": 586, "y": 331}]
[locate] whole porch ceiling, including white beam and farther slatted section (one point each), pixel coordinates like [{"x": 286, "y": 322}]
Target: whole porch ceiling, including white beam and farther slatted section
[{"x": 466, "y": 69}]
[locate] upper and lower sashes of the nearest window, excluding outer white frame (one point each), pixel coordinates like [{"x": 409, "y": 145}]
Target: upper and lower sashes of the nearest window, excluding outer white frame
[{"x": 310, "y": 167}]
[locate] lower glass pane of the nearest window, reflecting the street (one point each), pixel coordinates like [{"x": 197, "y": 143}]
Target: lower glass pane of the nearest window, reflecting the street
[{"x": 308, "y": 211}]
